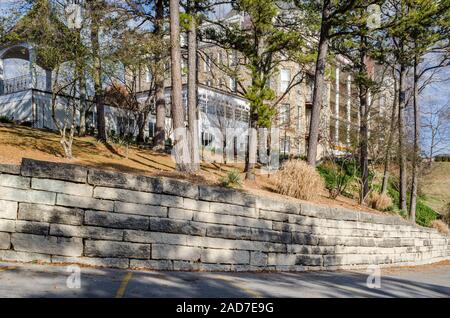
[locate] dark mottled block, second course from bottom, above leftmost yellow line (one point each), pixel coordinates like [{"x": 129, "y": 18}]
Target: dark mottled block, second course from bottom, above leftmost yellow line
[{"x": 116, "y": 249}]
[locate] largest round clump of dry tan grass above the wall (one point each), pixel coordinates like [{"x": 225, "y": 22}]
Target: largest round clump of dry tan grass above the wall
[{"x": 299, "y": 180}]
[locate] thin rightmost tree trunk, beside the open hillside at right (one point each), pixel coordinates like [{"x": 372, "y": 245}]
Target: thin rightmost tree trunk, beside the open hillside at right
[{"x": 416, "y": 154}]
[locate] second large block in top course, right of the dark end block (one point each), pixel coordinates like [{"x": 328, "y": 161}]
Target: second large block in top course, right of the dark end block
[{"x": 124, "y": 180}]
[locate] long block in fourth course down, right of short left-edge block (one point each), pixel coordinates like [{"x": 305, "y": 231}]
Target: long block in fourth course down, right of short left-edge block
[{"x": 50, "y": 214}]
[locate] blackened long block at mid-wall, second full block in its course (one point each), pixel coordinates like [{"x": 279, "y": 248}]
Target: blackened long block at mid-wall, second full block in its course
[{"x": 116, "y": 220}]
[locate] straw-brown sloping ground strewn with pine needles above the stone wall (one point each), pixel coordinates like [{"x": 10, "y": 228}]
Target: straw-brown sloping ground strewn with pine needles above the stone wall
[{"x": 17, "y": 142}]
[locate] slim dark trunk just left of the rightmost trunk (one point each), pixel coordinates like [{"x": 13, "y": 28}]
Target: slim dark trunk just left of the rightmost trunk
[{"x": 401, "y": 147}]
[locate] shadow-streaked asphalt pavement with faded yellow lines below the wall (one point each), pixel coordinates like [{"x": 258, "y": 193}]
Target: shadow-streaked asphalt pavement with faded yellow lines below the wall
[{"x": 30, "y": 280}]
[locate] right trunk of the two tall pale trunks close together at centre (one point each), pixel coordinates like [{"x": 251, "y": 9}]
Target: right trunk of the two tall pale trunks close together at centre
[{"x": 192, "y": 89}]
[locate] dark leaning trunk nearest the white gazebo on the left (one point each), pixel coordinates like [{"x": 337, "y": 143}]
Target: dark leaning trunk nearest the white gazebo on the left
[{"x": 95, "y": 42}]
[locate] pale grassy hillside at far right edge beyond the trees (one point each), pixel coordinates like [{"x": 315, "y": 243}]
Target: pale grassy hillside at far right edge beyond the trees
[{"x": 436, "y": 185}]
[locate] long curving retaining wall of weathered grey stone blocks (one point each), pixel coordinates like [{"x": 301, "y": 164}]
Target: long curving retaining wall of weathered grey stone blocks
[{"x": 59, "y": 213}]
